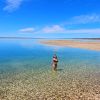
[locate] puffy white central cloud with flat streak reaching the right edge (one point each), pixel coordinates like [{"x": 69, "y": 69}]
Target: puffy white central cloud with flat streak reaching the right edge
[{"x": 59, "y": 29}]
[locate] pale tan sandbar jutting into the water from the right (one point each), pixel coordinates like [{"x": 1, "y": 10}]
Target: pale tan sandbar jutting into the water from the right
[{"x": 91, "y": 45}]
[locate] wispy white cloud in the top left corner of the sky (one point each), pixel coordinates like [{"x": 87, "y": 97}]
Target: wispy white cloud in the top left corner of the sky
[{"x": 12, "y": 5}]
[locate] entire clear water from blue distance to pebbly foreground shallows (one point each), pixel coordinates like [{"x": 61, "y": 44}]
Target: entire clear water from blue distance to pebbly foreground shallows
[{"x": 25, "y": 72}]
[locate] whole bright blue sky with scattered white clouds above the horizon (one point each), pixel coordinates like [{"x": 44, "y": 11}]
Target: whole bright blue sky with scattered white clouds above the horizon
[{"x": 50, "y": 18}]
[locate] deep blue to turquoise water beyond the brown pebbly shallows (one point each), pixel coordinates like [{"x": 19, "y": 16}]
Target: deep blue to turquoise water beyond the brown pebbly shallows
[{"x": 19, "y": 55}]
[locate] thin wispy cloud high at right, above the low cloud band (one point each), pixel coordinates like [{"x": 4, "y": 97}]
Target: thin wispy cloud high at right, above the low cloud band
[{"x": 84, "y": 19}]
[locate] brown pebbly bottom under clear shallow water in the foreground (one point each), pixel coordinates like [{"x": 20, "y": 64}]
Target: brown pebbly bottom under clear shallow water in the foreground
[{"x": 69, "y": 84}]
